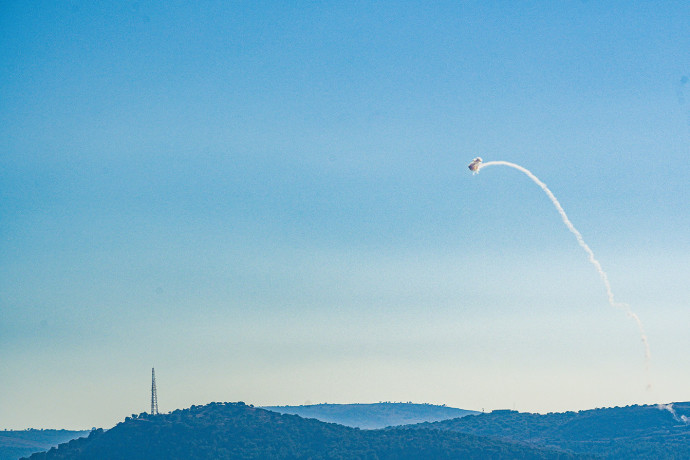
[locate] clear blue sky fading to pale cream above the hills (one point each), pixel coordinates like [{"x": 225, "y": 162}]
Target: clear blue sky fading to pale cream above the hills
[{"x": 270, "y": 202}]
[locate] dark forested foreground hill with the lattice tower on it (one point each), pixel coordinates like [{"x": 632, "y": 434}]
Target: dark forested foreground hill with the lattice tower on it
[{"x": 238, "y": 431}]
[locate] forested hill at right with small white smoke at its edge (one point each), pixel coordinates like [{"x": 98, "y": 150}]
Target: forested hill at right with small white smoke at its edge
[{"x": 639, "y": 432}]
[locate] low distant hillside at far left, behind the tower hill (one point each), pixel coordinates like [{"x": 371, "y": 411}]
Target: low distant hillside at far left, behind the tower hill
[{"x": 16, "y": 444}]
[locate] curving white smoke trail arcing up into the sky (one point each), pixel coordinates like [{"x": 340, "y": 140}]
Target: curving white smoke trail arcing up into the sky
[{"x": 477, "y": 165}]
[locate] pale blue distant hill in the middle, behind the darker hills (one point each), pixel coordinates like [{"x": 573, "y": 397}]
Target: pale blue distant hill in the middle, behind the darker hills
[{"x": 371, "y": 416}]
